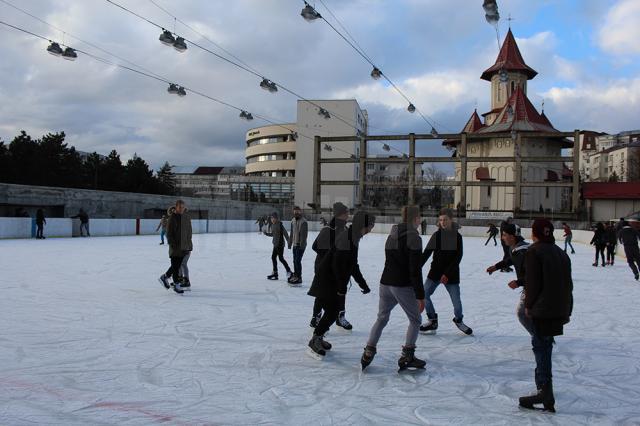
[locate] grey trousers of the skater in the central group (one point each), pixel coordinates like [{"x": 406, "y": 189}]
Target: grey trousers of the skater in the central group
[{"x": 390, "y": 297}]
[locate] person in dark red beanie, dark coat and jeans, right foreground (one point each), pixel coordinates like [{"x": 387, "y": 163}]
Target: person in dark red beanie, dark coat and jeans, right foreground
[{"x": 548, "y": 303}]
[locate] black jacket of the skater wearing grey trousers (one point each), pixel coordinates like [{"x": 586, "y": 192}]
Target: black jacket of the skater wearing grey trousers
[{"x": 403, "y": 259}]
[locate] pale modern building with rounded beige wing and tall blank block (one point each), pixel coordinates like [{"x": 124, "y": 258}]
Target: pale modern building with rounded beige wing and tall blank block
[{"x": 287, "y": 150}]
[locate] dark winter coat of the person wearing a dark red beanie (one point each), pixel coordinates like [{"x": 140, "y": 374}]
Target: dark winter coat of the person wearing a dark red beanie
[{"x": 548, "y": 287}]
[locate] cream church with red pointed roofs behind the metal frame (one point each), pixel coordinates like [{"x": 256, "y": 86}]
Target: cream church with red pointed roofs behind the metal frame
[{"x": 512, "y": 113}]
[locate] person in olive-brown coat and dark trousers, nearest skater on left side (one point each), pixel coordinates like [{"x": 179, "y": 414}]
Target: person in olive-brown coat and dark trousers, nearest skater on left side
[{"x": 179, "y": 234}]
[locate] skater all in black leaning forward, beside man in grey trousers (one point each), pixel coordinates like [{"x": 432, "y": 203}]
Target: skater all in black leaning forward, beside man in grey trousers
[{"x": 332, "y": 276}]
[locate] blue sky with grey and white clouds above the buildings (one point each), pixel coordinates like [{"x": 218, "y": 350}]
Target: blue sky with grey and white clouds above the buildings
[{"x": 586, "y": 52}]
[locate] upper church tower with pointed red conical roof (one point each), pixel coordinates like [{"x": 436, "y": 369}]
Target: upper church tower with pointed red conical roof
[{"x": 508, "y": 72}]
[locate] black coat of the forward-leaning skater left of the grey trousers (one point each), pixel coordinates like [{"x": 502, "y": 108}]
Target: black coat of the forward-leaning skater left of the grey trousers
[{"x": 336, "y": 267}]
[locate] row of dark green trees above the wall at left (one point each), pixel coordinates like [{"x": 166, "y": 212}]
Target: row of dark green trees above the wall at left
[{"x": 49, "y": 161}]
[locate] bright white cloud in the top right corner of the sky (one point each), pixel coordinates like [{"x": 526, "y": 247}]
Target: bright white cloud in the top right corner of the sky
[{"x": 620, "y": 33}]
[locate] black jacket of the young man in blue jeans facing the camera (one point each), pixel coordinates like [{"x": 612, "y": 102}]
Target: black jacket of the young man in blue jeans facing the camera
[{"x": 446, "y": 246}]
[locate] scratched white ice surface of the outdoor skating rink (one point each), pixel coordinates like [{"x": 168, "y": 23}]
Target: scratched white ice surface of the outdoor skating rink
[{"x": 89, "y": 336}]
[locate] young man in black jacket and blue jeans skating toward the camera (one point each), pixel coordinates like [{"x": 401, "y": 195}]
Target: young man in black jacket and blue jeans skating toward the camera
[{"x": 446, "y": 246}]
